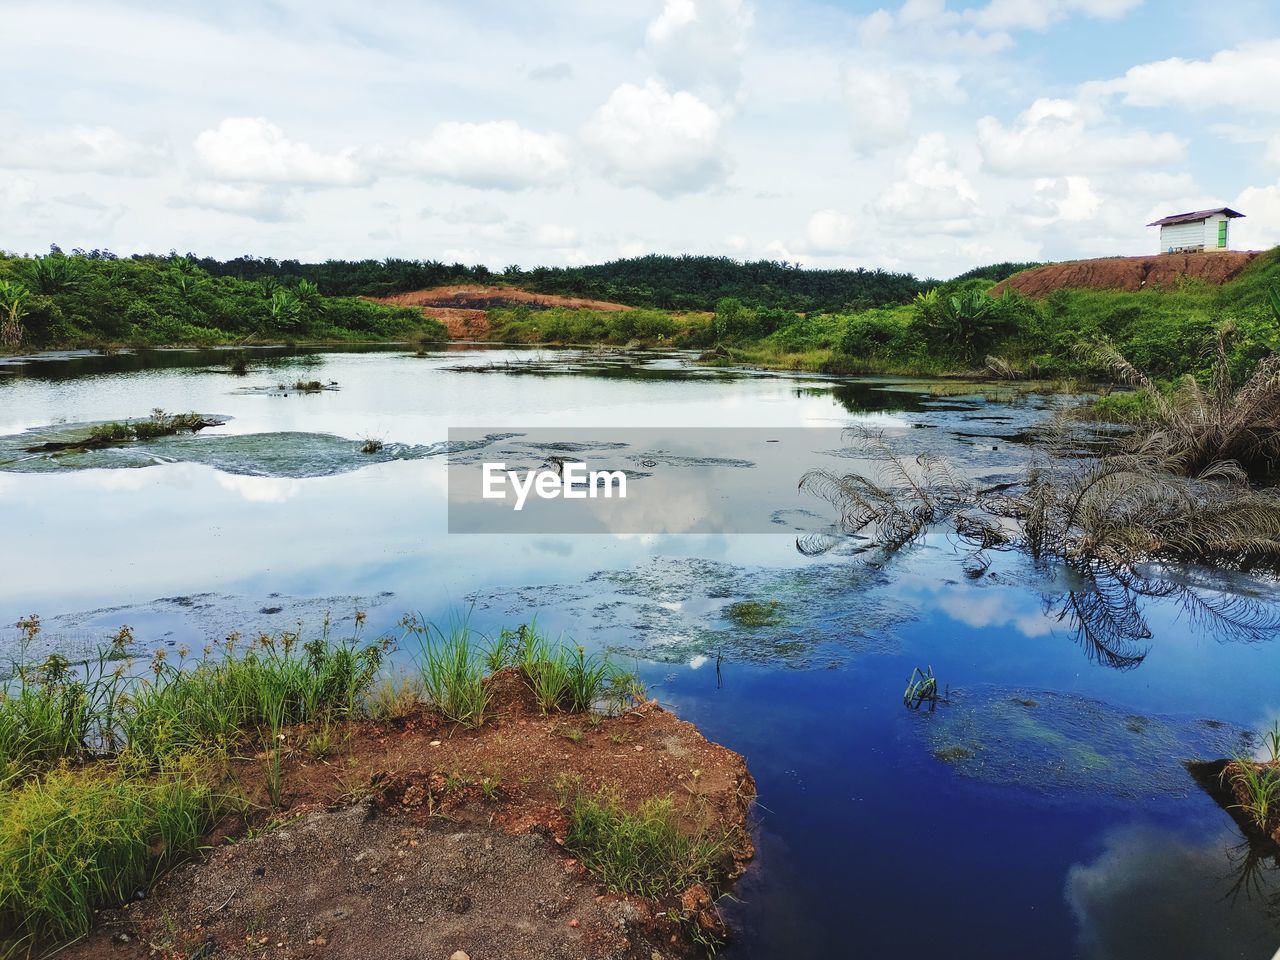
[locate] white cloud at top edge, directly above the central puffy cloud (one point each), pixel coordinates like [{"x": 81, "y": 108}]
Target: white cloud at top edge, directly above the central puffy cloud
[{"x": 700, "y": 44}]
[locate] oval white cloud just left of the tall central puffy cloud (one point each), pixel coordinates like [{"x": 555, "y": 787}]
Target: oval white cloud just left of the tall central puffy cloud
[{"x": 496, "y": 156}]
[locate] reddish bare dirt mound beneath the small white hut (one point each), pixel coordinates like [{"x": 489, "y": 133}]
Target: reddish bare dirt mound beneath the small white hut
[{"x": 1128, "y": 273}]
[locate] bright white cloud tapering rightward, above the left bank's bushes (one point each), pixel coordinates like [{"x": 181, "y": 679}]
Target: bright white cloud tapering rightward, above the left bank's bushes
[{"x": 253, "y": 150}]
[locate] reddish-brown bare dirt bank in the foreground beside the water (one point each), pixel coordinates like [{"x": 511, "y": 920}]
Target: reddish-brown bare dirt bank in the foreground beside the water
[{"x": 419, "y": 839}]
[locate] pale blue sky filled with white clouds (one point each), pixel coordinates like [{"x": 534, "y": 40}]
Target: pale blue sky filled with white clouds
[{"x": 929, "y": 138}]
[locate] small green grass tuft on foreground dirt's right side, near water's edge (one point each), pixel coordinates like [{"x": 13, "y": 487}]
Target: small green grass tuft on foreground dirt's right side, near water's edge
[{"x": 643, "y": 853}]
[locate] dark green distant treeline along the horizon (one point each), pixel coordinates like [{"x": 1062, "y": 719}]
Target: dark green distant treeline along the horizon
[{"x": 655, "y": 281}]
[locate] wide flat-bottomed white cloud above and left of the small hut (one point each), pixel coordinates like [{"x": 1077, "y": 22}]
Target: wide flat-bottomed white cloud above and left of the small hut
[{"x": 1055, "y": 138}]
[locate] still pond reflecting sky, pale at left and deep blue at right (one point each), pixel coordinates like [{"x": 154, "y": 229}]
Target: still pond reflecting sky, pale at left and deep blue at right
[{"x": 1043, "y": 811}]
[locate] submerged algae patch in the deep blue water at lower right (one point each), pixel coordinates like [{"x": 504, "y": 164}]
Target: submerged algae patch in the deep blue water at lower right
[{"x": 1053, "y": 743}]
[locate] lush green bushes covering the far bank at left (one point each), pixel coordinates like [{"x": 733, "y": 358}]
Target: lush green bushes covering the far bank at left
[{"x": 97, "y": 299}]
